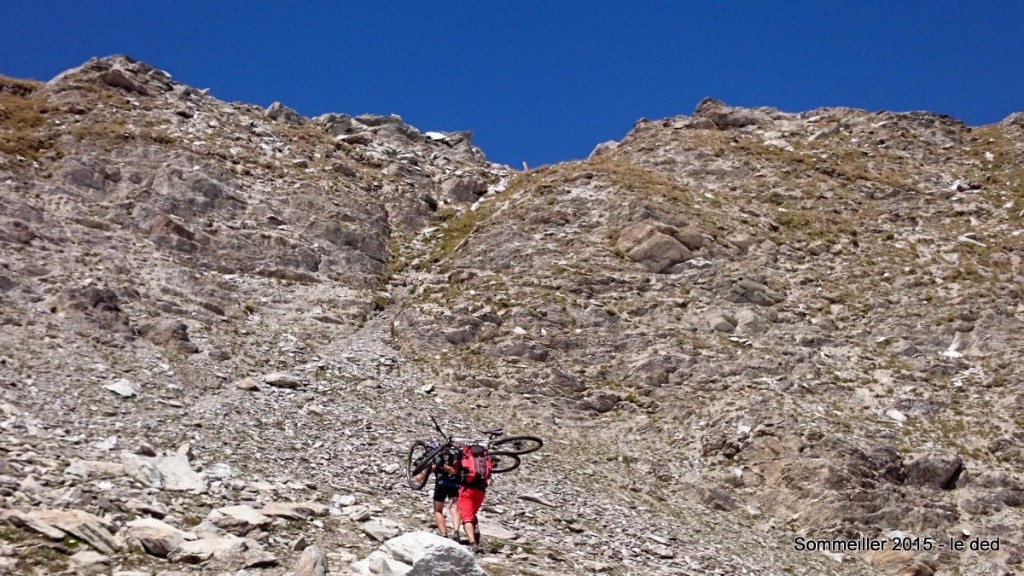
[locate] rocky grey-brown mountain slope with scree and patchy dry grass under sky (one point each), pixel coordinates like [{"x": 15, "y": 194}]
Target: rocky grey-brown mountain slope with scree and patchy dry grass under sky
[{"x": 735, "y": 330}]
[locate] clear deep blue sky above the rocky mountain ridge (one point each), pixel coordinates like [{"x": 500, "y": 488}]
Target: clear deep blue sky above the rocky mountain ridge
[{"x": 545, "y": 81}]
